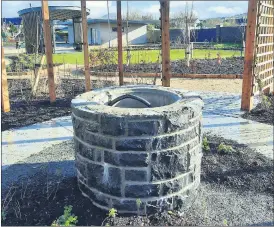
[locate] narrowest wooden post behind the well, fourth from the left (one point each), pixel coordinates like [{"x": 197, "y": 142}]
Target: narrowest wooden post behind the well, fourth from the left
[{"x": 120, "y": 42}]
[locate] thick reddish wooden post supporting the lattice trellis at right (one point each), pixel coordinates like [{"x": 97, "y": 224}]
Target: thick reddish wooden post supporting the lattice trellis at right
[{"x": 248, "y": 76}]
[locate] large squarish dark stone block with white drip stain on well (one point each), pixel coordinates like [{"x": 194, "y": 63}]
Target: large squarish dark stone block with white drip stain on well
[{"x": 104, "y": 178}]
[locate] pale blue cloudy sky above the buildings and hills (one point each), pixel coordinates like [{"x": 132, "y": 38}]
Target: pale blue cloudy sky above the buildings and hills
[{"x": 203, "y": 9}]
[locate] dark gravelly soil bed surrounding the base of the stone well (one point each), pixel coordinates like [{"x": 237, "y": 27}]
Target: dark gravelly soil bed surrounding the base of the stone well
[{"x": 236, "y": 189}]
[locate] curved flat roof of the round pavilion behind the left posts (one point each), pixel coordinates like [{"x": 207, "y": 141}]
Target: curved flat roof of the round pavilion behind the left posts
[{"x": 56, "y": 12}]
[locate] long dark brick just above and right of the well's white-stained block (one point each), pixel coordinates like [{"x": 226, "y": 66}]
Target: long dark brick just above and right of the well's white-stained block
[{"x": 126, "y": 159}]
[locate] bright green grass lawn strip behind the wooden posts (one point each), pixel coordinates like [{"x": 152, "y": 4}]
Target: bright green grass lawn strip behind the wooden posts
[{"x": 148, "y": 55}]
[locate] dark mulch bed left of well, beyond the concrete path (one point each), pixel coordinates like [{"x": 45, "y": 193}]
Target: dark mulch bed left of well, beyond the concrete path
[{"x": 26, "y": 110}]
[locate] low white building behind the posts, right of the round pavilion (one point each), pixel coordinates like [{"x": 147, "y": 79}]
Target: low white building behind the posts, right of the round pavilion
[{"x": 100, "y": 34}]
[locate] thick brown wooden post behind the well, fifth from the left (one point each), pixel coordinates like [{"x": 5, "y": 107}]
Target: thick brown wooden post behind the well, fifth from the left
[{"x": 165, "y": 43}]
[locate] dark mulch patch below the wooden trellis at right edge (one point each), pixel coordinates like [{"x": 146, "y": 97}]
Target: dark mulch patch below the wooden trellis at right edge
[{"x": 262, "y": 113}]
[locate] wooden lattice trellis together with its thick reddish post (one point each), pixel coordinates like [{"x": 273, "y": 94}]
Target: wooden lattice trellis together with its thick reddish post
[{"x": 259, "y": 56}]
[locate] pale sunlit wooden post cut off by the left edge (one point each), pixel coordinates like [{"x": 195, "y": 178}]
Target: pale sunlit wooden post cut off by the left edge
[{"x": 4, "y": 92}]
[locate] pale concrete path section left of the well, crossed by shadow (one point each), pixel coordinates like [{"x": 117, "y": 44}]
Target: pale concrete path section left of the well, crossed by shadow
[{"x": 19, "y": 144}]
